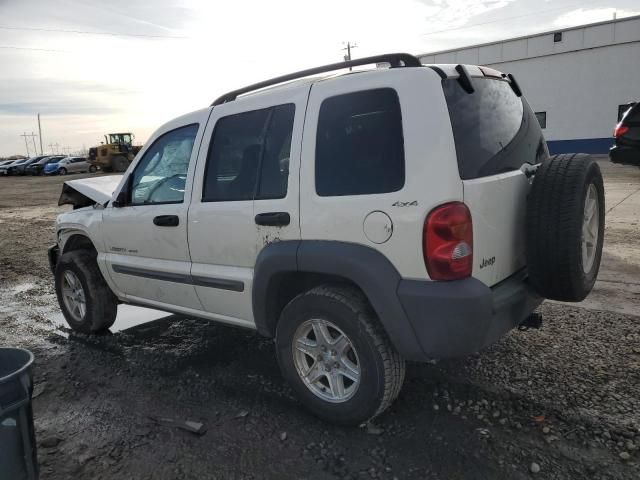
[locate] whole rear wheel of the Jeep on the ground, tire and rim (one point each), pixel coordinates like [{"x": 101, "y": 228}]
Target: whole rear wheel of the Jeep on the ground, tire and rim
[{"x": 337, "y": 357}]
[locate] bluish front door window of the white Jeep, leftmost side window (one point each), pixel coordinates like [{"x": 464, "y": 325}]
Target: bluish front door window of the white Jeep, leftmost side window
[{"x": 161, "y": 175}]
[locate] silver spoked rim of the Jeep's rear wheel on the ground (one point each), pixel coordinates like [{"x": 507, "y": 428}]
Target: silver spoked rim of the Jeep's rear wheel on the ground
[{"x": 326, "y": 360}]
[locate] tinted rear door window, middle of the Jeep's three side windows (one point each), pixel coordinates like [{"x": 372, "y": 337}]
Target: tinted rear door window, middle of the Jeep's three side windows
[{"x": 249, "y": 156}]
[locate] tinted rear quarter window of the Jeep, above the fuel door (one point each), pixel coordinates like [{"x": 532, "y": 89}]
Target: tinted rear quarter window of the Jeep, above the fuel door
[{"x": 359, "y": 144}]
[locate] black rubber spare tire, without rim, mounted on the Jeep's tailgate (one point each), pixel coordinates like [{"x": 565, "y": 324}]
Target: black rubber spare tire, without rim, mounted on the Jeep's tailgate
[{"x": 555, "y": 213}]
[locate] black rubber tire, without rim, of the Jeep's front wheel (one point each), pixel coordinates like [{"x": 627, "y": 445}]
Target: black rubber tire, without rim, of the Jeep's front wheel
[{"x": 101, "y": 303}]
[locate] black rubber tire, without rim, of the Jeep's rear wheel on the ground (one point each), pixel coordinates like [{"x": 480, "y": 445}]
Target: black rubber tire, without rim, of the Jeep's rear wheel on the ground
[{"x": 381, "y": 367}]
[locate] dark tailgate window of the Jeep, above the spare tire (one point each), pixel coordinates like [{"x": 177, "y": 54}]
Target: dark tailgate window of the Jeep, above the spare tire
[{"x": 495, "y": 131}]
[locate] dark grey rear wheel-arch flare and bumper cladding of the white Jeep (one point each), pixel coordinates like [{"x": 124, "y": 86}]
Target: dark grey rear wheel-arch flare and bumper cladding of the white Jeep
[{"x": 423, "y": 319}]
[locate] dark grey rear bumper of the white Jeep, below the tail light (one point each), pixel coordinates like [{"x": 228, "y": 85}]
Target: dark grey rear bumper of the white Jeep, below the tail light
[{"x": 452, "y": 319}]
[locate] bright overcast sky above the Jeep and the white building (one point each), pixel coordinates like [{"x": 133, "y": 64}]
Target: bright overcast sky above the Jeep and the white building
[{"x": 157, "y": 59}]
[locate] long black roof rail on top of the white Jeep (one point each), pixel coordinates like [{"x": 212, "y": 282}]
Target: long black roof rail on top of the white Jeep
[{"x": 394, "y": 59}]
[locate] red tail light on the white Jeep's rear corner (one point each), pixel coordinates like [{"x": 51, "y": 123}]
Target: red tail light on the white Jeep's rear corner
[{"x": 447, "y": 242}]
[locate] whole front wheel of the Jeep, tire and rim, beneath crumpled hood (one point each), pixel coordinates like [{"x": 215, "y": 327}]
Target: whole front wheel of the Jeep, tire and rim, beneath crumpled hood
[{"x": 85, "y": 299}]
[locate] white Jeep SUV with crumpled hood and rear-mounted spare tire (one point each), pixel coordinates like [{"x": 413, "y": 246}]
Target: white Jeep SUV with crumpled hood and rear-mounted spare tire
[{"x": 361, "y": 219}]
